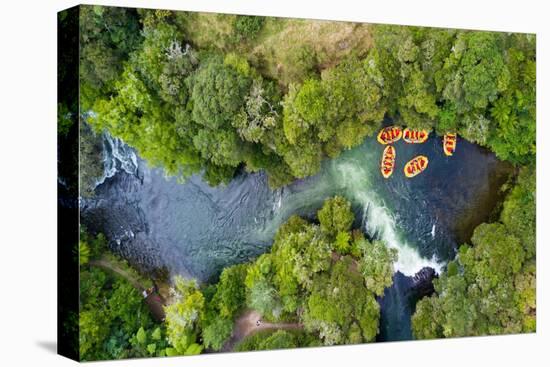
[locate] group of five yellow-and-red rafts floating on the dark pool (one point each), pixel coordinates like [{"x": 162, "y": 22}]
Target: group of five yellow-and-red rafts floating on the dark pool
[{"x": 418, "y": 164}]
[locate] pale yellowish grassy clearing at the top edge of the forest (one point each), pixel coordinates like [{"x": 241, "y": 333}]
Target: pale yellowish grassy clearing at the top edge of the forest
[{"x": 287, "y": 50}]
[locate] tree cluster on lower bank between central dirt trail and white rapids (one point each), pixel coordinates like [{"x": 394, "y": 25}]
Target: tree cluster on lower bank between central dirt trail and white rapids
[{"x": 304, "y": 278}]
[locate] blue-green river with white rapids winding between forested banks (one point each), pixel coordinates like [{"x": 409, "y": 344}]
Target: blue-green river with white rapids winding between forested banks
[{"x": 195, "y": 230}]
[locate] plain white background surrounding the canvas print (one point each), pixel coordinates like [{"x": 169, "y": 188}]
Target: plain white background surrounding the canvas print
[{"x": 28, "y": 189}]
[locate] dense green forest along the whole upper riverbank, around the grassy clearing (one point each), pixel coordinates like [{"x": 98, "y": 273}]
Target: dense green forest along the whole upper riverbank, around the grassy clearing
[{"x": 190, "y": 110}]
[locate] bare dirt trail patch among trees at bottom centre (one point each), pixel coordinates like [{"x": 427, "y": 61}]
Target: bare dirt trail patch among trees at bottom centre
[{"x": 251, "y": 322}]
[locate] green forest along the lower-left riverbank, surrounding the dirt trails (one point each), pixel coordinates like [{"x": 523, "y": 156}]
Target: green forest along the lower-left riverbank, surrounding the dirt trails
[{"x": 324, "y": 289}]
